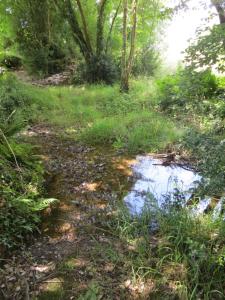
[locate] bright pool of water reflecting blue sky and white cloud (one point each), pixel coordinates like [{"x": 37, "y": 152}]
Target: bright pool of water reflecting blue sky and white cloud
[{"x": 158, "y": 182}]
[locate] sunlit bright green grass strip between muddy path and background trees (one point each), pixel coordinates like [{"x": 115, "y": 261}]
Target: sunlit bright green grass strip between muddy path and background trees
[{"x": 102, "y": 115}]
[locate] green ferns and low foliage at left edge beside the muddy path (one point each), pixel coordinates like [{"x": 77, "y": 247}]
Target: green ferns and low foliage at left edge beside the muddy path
[{"x": 21, "y": 184}]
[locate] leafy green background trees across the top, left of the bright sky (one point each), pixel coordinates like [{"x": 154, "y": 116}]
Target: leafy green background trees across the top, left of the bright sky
[{"x": 49, "y": 34}]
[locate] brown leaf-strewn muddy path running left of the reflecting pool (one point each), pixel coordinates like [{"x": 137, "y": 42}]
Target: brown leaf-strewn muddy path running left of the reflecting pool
[{"x": 76, "y": 254}]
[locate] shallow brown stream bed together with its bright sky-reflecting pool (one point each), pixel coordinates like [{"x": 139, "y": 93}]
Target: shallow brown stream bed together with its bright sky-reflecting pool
[{"x": 75, "y": 245}]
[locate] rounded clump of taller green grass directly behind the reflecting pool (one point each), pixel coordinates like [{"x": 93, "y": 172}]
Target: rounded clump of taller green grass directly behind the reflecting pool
[{"x": 143, "y": 131}]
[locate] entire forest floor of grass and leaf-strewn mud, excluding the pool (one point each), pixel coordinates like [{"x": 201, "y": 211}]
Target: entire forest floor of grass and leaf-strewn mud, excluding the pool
[{"x": 89, "y": 246}]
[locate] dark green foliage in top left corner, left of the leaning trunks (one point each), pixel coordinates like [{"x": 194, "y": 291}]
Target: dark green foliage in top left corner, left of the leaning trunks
[{"x": 40, "y": 44}]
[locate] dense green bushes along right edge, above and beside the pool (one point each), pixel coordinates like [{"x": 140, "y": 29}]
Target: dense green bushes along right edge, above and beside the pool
[{"x": 198, "y": 97}]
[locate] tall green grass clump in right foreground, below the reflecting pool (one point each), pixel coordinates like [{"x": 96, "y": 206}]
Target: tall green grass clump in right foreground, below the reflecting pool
[{"x": 187, "y": 253}]
